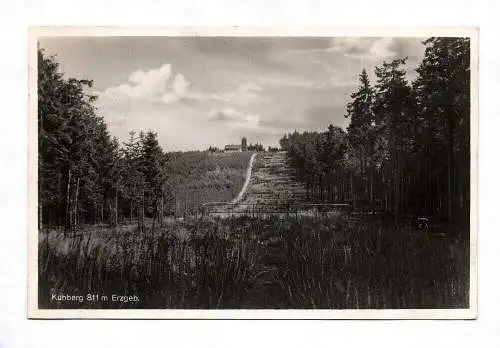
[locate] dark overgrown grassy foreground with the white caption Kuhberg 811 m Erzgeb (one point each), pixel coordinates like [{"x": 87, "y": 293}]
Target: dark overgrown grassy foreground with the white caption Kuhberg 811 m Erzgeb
[{"x": 243, "y": 262}]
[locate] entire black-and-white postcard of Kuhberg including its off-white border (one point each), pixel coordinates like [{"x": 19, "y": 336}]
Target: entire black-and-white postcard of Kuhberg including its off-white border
[{"x": 253, "y": 174}]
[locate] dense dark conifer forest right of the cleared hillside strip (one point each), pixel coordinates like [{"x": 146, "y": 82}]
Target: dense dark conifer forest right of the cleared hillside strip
[{"x": 407, "y": 147}]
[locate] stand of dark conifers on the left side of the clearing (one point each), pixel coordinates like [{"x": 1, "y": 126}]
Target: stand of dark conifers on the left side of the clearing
[{"x": 84, "y": 175}]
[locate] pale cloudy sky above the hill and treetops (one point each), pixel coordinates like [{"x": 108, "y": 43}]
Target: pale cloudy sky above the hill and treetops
[{"x": 196, "y": 92}]
